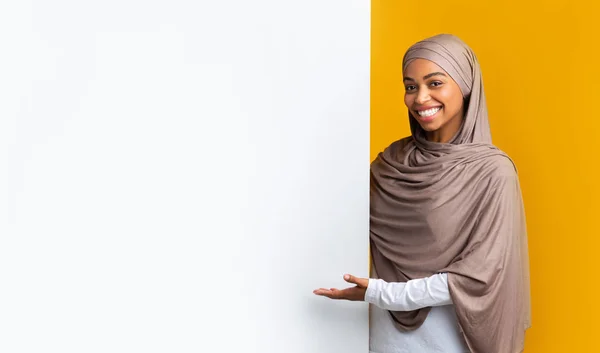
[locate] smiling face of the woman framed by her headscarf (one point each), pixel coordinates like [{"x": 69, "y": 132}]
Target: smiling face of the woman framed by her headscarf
[{"x": 434, "y": 99}]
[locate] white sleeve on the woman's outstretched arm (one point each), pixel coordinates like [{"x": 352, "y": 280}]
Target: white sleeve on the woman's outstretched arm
[{"x": 411, "y": 295}]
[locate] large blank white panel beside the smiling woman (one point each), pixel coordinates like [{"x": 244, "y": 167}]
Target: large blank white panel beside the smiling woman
[{"x": 178, "y": 176}]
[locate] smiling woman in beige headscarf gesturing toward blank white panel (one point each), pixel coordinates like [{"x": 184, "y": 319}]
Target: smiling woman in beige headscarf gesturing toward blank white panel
[{"x": 447, "y": 225}]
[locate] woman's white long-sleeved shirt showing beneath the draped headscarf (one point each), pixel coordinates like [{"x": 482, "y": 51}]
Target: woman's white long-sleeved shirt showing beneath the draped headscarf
[{"x": 439, "y": 332}]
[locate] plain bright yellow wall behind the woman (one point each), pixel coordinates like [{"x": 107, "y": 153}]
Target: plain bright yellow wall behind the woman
[{"x": 540, "y": 63}]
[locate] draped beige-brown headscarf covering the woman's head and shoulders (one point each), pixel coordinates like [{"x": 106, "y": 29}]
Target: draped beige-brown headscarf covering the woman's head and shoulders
[{"x": 457, "y": 208}]
